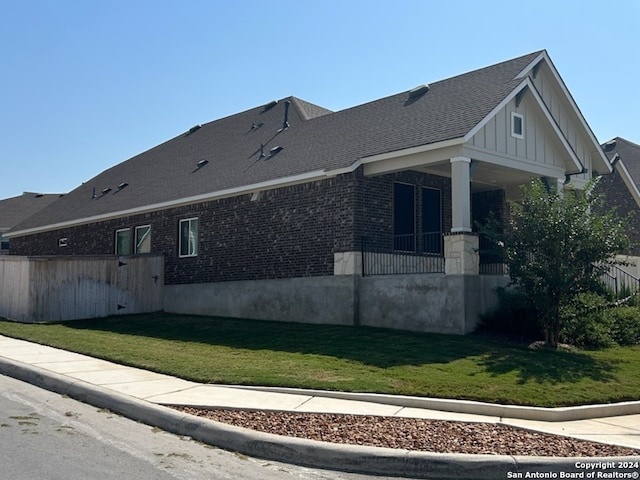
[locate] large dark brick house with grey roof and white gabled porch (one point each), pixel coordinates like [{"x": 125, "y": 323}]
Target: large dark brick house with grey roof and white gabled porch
[{"x": 289, "y": 211}]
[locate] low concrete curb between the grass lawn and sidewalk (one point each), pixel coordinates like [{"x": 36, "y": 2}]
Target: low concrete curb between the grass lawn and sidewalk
[{"x": 560, "y": 414}]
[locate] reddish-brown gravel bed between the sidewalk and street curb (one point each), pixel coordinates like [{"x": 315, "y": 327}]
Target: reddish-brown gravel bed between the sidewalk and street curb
[{"x": 412, "y": 434}]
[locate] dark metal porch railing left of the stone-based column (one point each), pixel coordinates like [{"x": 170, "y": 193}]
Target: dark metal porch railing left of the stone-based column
[{"x": 403, "y": 254}]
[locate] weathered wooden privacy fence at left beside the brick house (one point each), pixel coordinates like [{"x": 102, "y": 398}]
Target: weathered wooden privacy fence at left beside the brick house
[{"x": 42, "y": 289}]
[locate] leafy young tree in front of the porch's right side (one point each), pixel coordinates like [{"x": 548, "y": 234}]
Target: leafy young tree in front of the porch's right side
[{"x": 556, "y": 245}]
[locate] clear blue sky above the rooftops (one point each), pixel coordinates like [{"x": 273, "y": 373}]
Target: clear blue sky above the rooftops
[{"x": 87, "y": 84}]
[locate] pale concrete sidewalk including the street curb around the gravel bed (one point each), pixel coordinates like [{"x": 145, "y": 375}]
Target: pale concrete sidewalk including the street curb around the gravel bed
[{"x": 141, "y": 394}]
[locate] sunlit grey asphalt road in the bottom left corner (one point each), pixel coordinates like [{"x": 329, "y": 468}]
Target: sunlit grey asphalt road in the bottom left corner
[{"x": 46, "y": 436}]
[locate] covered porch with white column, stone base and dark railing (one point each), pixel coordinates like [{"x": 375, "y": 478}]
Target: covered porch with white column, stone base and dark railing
[{"x": 437, "y": 234}]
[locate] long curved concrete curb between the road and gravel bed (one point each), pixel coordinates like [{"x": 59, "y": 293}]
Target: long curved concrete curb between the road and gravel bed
[{"x": 310, "y": 453}]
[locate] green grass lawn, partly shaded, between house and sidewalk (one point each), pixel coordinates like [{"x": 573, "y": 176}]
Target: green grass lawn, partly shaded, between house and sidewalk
[{"x": 359, "y": 359}]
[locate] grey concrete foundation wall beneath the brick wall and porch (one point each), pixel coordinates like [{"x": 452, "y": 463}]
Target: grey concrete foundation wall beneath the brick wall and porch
[{"x": 424, "y": 303}]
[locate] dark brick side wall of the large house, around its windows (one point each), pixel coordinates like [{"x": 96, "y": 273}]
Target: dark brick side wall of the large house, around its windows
[{"x": 283, "y": 233}]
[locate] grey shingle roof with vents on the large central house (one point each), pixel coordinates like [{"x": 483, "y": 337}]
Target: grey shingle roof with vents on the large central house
[{"x": 317, "y": 139}]
